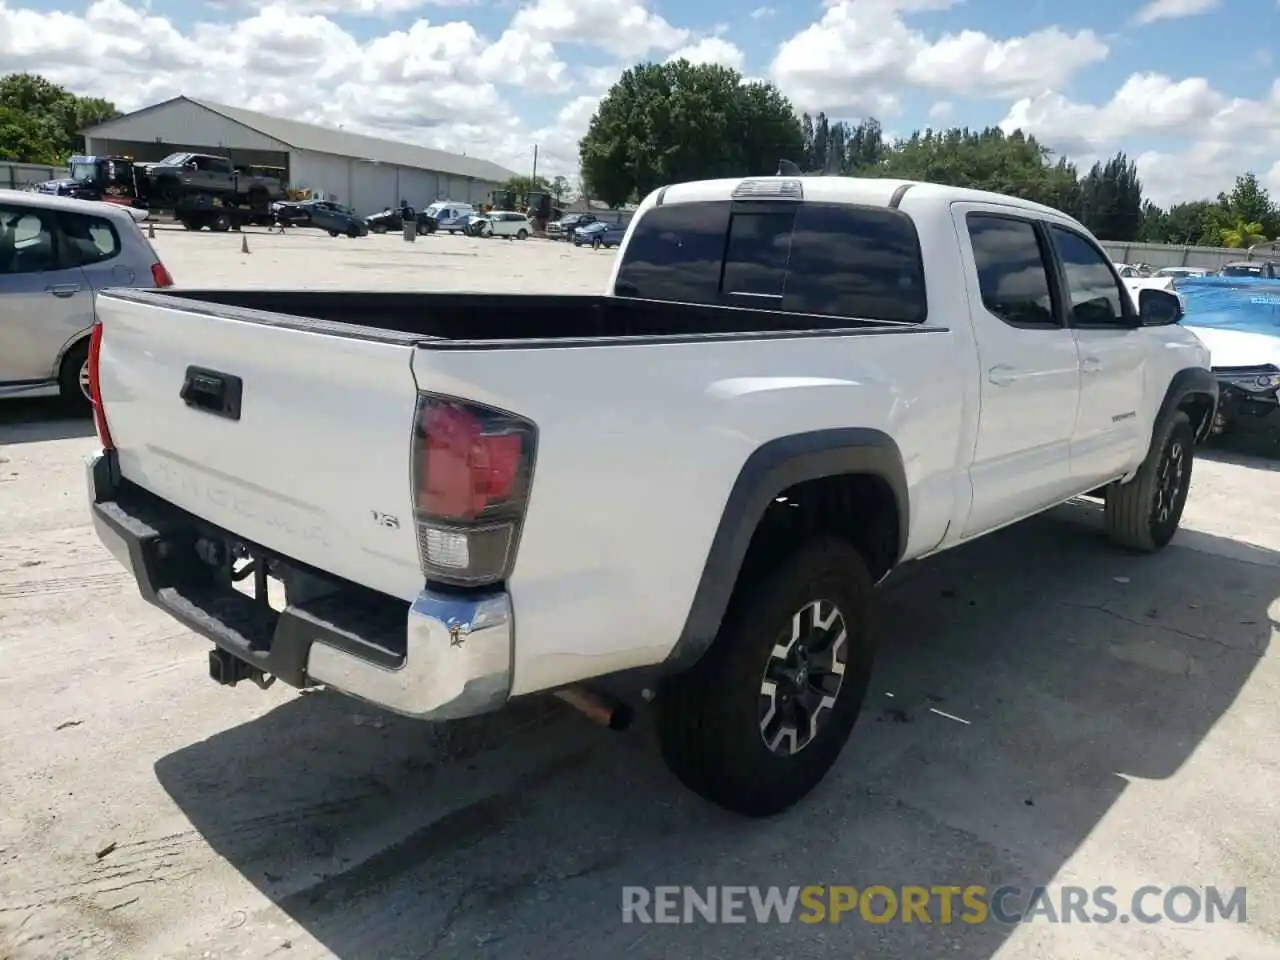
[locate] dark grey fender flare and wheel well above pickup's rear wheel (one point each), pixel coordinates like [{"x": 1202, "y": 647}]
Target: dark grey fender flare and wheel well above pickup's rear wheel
[{"x": 849, "y": 483}]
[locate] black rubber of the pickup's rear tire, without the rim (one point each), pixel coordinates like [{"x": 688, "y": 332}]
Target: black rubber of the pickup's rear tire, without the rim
[{"x": 710, "y": 717}]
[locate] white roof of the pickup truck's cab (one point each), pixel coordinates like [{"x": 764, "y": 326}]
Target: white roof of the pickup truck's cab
[{"x": 875, "y": 191}]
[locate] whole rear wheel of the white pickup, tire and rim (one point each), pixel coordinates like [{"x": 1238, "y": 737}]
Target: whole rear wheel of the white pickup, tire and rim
[{"x": 761, "y": 719}]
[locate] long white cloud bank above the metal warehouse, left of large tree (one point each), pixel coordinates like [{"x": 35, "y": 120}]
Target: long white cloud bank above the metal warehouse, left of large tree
[{"x": 436, "y": 84}]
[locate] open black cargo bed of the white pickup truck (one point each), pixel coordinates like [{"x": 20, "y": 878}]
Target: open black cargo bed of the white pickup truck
[{"x": 470, "y": 319}]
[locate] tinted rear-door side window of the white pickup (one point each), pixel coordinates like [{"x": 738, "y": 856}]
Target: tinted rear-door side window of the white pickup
[{"x": 1012, "y": 268}]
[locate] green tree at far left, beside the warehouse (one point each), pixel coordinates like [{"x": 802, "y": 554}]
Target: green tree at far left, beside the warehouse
[{"x": 40, "y": 121}]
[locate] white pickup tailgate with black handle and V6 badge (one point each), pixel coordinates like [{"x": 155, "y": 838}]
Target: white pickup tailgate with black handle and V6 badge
[{"x": 313, "y": 463}]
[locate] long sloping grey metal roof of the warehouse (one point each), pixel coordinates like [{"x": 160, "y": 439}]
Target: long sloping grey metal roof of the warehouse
[{"x": 327, "y": 140}]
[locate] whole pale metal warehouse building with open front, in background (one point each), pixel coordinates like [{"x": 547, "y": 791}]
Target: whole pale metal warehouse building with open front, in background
[{"x": 365, "y": 173}]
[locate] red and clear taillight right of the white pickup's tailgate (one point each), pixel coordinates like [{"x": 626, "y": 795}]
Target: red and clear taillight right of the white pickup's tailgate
[{"x": 473, "y": 469}]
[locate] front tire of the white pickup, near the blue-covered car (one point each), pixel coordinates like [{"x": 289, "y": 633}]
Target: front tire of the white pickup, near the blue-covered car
[{"x": 1133, "y": 510}]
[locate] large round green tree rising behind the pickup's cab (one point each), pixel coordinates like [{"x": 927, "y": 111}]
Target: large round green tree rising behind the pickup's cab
[{"x": 673, "y": 122}]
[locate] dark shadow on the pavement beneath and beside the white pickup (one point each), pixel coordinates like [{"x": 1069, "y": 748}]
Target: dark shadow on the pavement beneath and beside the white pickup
[{"x": 1023, "y": 682}]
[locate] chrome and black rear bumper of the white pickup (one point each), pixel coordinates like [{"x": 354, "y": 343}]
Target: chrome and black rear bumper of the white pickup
[{"x": 444, "y": 657}]
